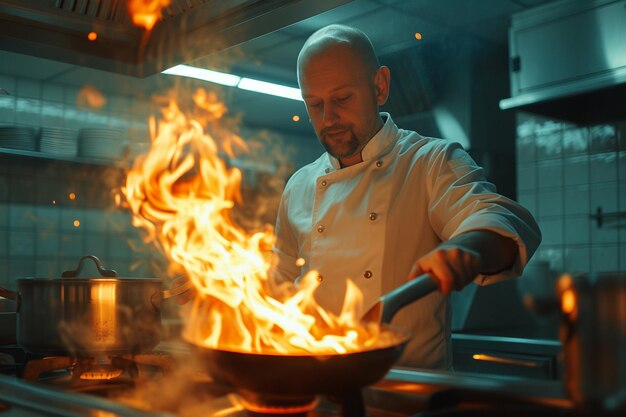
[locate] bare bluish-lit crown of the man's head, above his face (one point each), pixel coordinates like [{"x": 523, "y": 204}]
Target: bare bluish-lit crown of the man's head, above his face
[{"x": 333, "y": 36}]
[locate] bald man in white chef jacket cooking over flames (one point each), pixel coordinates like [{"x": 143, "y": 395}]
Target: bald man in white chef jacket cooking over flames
[{"x": 383, "y": 205}]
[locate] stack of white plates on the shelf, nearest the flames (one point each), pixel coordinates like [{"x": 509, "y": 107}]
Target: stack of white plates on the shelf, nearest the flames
[{"x": 101, "y": 143}]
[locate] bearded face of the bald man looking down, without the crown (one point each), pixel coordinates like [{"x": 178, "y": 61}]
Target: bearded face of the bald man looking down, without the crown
[{"x": 340, "y": 96}]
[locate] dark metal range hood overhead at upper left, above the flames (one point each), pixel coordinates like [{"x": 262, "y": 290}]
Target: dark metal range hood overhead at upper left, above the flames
[{"x": 190, "y": 29}]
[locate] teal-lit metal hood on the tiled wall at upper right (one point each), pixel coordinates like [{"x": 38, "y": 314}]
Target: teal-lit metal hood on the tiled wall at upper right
[{"x": 568, "y": 61}]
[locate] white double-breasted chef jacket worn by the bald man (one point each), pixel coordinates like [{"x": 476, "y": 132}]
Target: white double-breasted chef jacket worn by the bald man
[{"x": 371, "y": 221}]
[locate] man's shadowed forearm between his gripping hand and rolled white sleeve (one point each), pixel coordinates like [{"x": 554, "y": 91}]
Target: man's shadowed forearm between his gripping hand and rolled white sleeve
[{"x": 496, "y": 251}]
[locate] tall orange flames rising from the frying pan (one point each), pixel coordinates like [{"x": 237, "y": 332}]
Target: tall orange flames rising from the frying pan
[{"x": 183, "y": 194}]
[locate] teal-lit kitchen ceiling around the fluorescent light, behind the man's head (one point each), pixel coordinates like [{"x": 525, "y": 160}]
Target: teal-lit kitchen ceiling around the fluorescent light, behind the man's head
[{"x": 391, "y": 24}]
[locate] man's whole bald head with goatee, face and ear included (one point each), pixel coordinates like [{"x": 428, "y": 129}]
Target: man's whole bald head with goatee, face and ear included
[{"x": 342, "y": 85}]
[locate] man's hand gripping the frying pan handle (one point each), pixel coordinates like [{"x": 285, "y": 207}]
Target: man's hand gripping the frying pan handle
[{"x": 451, "y": 265}]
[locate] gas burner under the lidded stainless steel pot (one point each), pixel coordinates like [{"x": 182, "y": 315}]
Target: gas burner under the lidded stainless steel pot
[{"x": 97, "y": 371}]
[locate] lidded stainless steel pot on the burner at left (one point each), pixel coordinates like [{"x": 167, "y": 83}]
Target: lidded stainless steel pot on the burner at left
[{"x": 89, "y": 316}]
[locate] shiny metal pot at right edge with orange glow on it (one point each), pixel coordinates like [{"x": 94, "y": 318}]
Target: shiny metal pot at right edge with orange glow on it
[{"x": 593, "y": 334}]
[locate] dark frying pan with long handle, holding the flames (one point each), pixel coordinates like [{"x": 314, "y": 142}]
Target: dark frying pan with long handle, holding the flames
[{"x": 311, "y": 374}]
